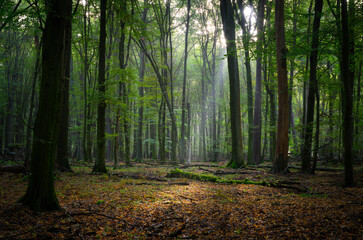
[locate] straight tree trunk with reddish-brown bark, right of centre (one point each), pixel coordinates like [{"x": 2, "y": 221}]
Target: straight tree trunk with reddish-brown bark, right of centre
[{"x": 282, "y": 141}]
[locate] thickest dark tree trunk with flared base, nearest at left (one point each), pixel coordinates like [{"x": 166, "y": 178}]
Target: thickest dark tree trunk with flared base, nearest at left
[{"x": 40, "y": 194}]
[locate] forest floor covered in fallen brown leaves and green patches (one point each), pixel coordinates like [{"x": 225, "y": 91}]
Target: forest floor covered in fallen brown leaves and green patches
[{"x": 140, "y": 202}]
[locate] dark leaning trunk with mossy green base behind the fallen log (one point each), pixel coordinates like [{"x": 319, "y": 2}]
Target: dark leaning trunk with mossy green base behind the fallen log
[{"x": 235, "y": 110}]
